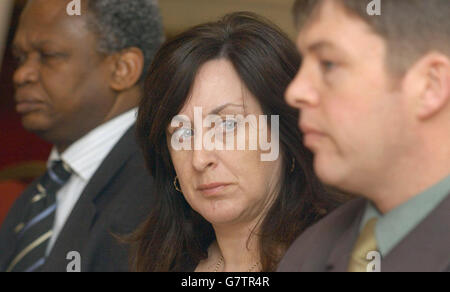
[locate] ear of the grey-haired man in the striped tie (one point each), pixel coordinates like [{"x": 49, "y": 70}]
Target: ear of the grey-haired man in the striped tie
[{"x": 127, "y": 68}]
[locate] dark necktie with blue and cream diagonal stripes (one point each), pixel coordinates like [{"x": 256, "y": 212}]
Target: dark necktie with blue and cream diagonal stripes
[{"x": 34, "y": 233}]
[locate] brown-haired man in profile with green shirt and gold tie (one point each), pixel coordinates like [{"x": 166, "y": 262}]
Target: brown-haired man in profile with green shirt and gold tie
[{"x": 374, "y": 96}]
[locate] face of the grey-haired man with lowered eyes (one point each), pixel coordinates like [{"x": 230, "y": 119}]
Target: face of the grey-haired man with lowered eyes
[{"x": 61, "y": 87}]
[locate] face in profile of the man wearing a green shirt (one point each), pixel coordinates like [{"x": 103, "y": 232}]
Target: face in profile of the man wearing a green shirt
[{"x": 353, "y": 117}]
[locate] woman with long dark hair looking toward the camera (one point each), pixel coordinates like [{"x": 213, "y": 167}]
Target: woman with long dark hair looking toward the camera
[{"x": 219, "y": 208}]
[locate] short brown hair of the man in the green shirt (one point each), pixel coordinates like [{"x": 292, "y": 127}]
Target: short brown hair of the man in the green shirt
[{"x": 411, "y": 28}]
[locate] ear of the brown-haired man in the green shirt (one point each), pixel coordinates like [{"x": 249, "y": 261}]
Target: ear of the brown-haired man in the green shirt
[{"x": 432, "y": 74}]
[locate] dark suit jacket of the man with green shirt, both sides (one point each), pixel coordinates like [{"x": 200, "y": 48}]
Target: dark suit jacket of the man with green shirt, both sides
[{"x": 327, "y": 245}]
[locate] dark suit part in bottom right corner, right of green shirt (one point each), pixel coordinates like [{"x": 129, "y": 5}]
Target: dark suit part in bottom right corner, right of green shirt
[{"x": 427, "y": 247}]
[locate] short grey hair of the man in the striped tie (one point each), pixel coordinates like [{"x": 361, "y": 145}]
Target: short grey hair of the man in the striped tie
[{"x": 121, "y": 24}]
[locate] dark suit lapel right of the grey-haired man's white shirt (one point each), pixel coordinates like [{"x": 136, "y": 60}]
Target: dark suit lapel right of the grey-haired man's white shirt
[{"x": 76, "y": 231}]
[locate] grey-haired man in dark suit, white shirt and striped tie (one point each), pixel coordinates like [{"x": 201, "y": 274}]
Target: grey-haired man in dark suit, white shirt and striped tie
[{"x": 78, "y": 82}]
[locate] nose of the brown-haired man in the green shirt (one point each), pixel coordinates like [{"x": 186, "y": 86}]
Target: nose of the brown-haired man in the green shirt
[{"x": 301, "y": 92}]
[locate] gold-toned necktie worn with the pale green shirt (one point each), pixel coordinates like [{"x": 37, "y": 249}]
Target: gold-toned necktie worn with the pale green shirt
[{"x": 366, "y": 243}]
